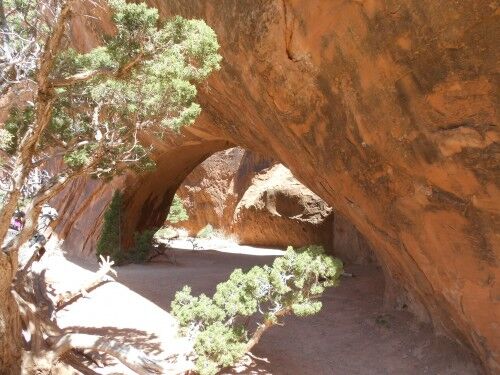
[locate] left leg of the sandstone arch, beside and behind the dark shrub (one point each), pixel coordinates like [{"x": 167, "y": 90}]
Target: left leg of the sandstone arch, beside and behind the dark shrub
[{"x": 148, "y": 196}]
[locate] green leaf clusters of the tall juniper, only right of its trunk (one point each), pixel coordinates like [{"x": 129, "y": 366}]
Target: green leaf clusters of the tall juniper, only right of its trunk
[{"x": 161, "y": 64}]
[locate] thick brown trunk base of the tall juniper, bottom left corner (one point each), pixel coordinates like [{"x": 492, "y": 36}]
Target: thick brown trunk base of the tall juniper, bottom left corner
[{"x": 10, "y": 322}]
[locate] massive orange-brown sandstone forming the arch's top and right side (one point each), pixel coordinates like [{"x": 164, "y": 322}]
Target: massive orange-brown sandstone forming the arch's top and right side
[{"x": 387, "y": 110}]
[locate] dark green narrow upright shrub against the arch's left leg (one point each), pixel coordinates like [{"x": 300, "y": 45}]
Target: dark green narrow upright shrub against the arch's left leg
[{"x": 109, "y": 240}]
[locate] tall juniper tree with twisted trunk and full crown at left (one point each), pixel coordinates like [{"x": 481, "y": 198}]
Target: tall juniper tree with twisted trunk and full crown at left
[{"x": 90, "y": 109}]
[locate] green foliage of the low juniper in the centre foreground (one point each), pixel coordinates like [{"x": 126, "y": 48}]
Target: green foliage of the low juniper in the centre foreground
[{"x": 291, "y": 286}]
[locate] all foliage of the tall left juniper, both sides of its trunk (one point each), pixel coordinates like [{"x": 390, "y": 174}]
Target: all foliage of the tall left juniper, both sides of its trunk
[{"x": 143, "y": 77}]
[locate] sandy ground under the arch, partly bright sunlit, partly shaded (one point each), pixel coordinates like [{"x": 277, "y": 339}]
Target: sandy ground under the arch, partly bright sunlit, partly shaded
[{"x": 351, "y": 335}]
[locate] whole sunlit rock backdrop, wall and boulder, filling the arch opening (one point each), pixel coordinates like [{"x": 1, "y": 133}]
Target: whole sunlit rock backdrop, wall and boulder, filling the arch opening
[{"x": 255, "y": 200}]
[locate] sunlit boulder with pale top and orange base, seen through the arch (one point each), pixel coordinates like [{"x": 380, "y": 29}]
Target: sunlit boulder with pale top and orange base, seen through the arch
[{"x": 277, "y": 210}]
